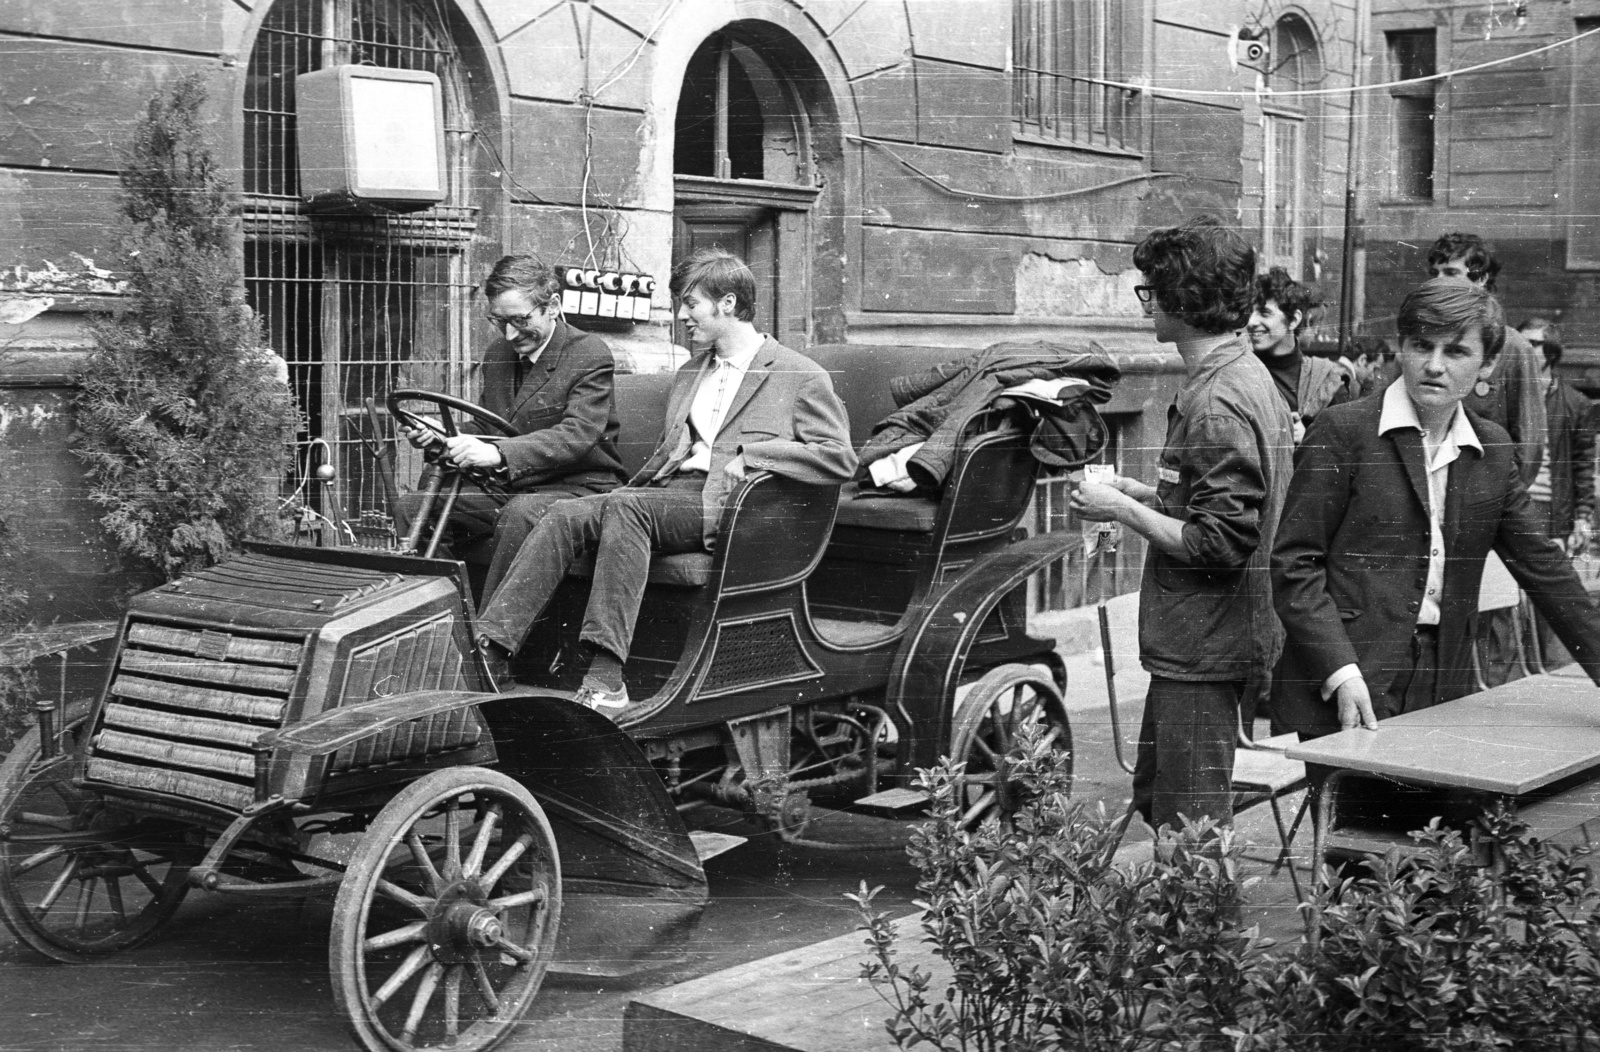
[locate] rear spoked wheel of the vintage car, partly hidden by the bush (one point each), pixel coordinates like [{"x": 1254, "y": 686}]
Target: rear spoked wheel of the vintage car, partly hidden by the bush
[{"x": 985, "y": 735}]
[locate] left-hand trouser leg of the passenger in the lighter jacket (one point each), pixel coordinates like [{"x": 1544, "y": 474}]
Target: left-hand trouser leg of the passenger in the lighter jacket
[{"x": 564, "y": 535}]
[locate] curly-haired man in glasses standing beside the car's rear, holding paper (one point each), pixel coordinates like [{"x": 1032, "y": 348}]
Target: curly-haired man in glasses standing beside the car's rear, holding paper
[{"x": 1207, "y": 631}]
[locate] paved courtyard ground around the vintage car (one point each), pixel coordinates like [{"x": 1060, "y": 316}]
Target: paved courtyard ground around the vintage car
[{"x": 233, "y": 978}]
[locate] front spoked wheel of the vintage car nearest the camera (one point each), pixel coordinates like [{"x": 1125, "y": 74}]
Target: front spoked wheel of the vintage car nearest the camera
[{"x": 447, "y": 917}]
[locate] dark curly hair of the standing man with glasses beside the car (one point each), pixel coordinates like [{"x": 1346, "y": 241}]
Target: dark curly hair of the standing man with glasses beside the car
[{"x": 1202, "y": 271}]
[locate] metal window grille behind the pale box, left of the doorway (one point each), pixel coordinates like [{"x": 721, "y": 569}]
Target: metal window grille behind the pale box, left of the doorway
[{"x": 356, "y": 305}]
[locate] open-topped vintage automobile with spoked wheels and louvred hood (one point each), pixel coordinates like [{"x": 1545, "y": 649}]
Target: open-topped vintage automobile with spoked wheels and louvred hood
[{"x": 316, "y": 719}]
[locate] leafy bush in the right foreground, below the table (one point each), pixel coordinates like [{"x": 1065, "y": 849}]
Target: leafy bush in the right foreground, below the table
[{"x": 1052, "y": 947}]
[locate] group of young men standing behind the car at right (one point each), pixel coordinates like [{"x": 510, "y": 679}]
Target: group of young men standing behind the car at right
[{"x": 1326, "y": 532}]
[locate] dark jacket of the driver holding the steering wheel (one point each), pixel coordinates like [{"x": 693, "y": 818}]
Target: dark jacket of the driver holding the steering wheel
[{"x": 561, "y": 407}]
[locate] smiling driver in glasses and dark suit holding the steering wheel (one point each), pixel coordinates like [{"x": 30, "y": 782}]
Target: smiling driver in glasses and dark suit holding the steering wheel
[{"x": 554, "y": 386}]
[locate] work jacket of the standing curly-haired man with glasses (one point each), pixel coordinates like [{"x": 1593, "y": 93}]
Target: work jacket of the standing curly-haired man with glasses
[{"x": 1223, "y": 474}]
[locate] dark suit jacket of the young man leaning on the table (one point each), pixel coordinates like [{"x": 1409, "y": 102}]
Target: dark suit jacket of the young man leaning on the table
[{"x": 1351, "y": 560}]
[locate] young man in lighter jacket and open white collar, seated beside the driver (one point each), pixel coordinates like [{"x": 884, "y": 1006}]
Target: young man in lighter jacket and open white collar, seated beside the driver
[{"x": 743, "y": 404}]
